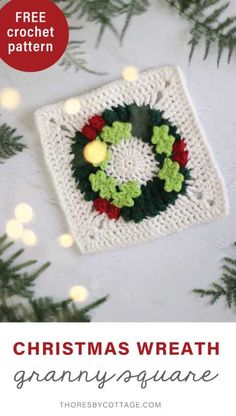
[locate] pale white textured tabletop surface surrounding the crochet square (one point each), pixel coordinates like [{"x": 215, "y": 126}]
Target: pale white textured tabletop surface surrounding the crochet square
[{"x": 151, "y": 282}]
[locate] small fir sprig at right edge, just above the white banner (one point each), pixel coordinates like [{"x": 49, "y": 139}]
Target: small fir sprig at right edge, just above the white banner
[{"x": 226, "y": 288}]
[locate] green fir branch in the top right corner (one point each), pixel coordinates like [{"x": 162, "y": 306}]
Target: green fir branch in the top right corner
[{"x": 208, "y": 25}]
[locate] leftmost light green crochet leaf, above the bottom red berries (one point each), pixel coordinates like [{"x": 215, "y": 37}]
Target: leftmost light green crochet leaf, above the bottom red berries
[{"x": 106, "y": 186}]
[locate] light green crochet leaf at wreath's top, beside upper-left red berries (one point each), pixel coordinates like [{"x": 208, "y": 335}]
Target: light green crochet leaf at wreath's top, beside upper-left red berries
[{"x": 119, "y": 131}]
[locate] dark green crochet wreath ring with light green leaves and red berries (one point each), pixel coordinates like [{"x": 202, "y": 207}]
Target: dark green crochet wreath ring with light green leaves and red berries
[{"x": 130, "y": 200}]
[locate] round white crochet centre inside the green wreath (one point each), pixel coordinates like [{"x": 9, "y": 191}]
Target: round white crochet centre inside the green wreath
[{"x": 132, "y": 159}]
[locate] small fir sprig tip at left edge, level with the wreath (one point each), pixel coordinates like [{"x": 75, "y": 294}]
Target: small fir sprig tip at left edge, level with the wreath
[{"x": 10, "y": 144}]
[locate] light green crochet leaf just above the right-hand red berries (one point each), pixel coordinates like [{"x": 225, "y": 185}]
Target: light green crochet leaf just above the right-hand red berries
[{"x": 163, "y": 140}]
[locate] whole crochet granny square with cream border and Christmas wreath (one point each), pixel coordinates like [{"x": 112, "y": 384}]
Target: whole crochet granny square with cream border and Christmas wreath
[{"x": 133, "y": 163}]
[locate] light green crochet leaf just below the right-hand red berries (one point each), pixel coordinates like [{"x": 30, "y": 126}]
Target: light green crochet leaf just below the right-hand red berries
[{"x": 170, "y": 173}]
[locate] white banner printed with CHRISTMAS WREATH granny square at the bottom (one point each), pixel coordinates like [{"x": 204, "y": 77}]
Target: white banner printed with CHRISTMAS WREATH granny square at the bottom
[{"x": 133, "y": 368}]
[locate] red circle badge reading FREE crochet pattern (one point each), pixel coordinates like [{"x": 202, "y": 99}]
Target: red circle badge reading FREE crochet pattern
[{"x": 33, "y": 34}]
